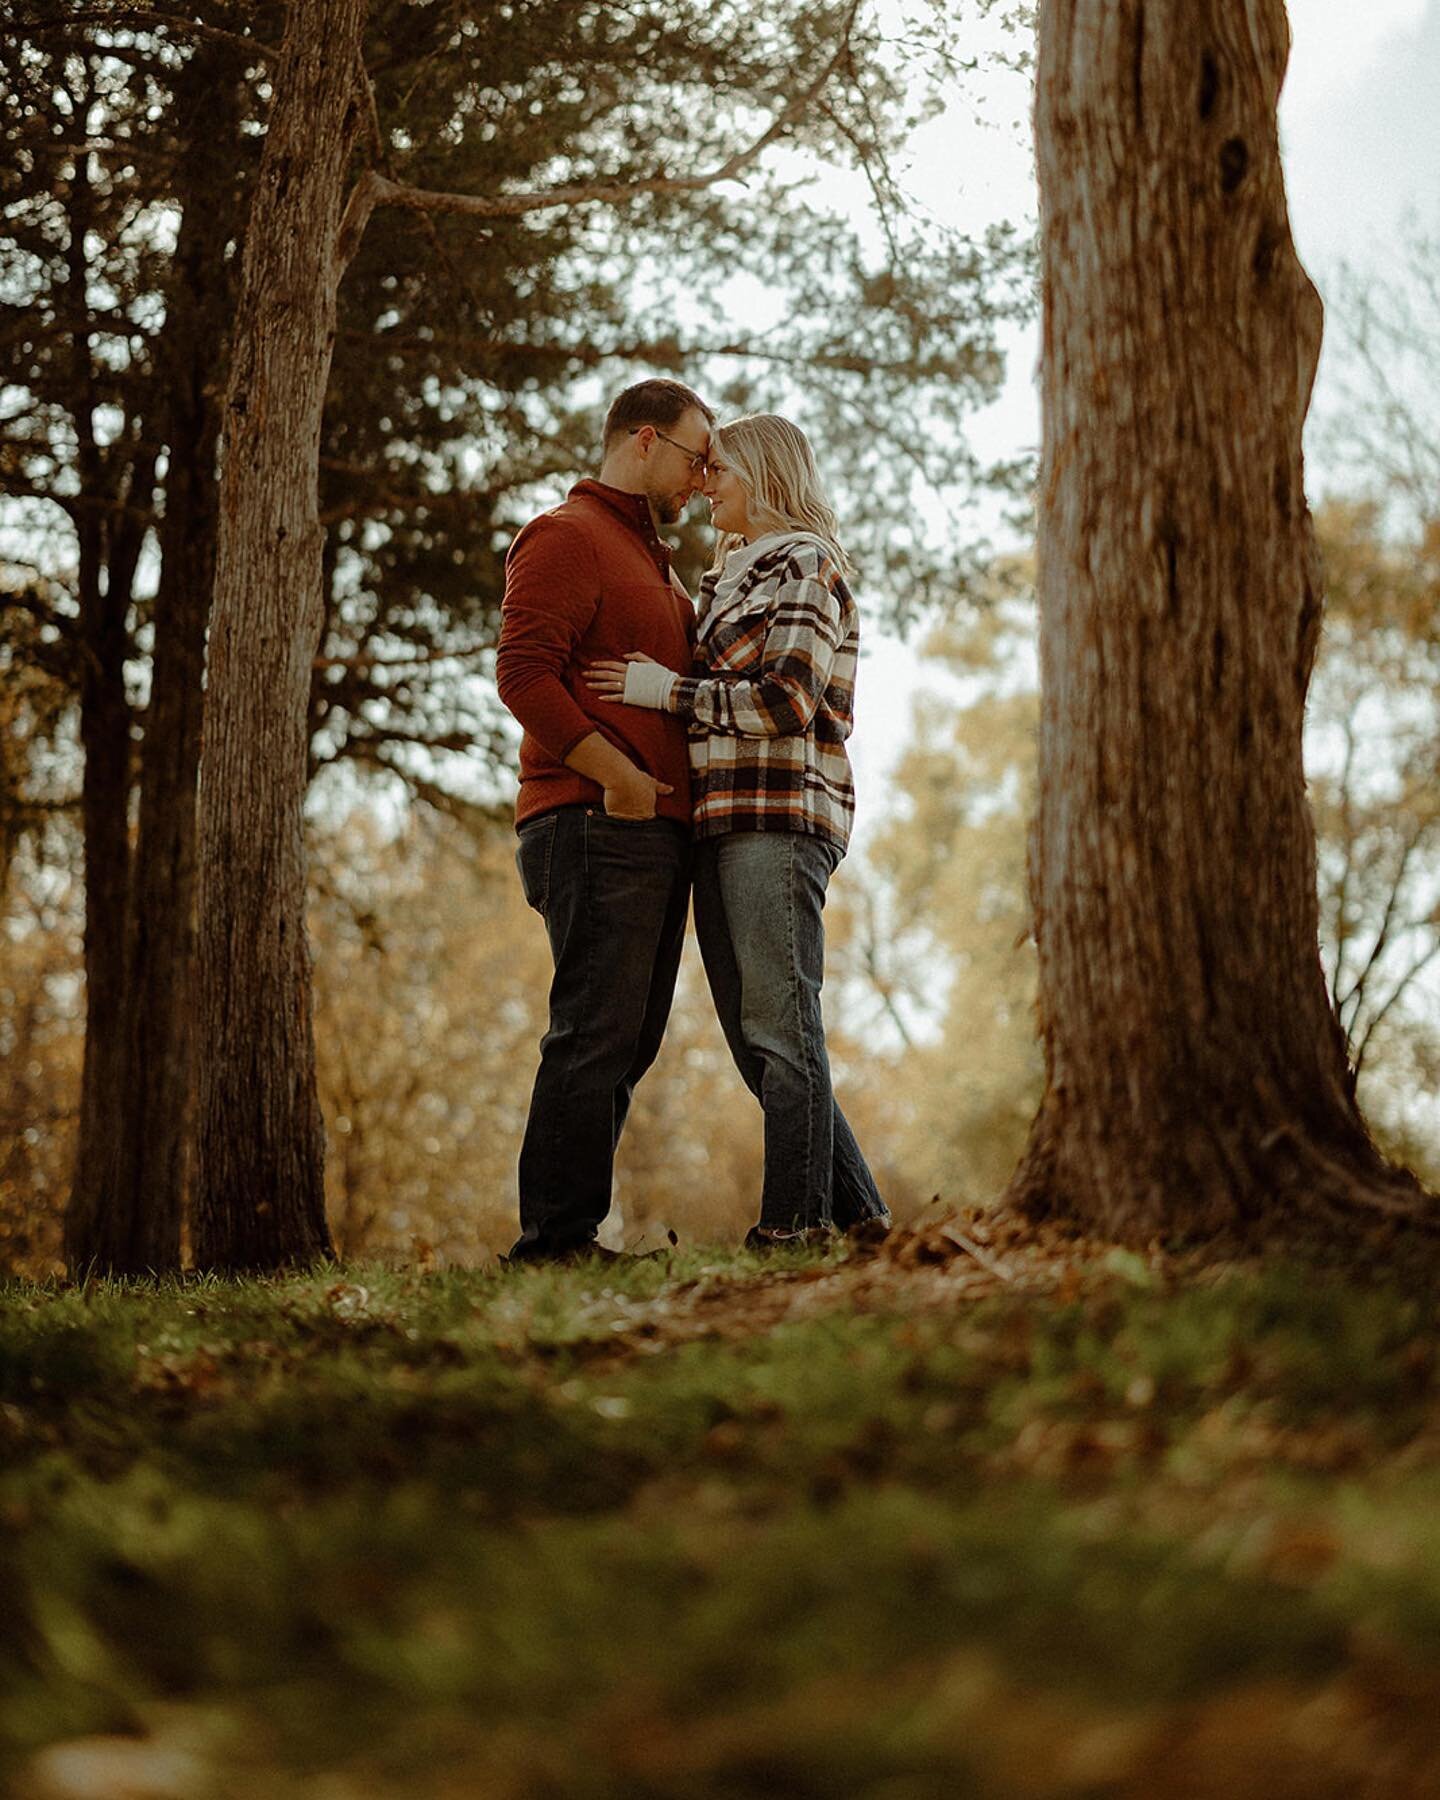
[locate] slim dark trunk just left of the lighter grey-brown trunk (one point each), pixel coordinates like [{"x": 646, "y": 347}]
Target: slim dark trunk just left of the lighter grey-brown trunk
[{"x": 145, "y": 1194}]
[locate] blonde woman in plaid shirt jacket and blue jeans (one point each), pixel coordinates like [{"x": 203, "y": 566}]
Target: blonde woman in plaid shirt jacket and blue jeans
[{"x": 769, "y": 710}]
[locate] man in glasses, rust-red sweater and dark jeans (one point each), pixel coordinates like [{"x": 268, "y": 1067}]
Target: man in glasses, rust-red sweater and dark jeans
[{"x": 604, "y": 809}]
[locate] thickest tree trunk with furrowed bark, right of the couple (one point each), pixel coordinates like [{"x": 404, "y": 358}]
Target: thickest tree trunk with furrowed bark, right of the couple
[{"x": 1196, "y": 1074}]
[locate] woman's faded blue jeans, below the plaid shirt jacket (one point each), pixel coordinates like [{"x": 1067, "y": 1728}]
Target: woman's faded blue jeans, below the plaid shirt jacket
[{"x": 759, "y": 899}]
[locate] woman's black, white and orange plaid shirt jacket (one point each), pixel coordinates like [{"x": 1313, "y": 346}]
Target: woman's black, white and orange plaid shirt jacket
[{"x": 773, "y": 697}]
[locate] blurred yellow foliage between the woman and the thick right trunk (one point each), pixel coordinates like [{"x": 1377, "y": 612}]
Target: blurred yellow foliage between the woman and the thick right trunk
[{"x": 940, "y": 922}]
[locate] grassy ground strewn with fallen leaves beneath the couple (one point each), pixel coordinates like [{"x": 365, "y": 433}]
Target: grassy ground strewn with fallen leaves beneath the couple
[{"x": 976, "y": 1513}]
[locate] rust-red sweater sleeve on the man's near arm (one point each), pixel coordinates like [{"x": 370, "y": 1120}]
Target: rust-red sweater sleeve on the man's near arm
[{"x": 552, "y": 597}]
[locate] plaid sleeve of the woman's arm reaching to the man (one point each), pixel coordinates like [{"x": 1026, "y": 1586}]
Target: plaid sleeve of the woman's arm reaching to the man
[{"x": 802, "y": 633}]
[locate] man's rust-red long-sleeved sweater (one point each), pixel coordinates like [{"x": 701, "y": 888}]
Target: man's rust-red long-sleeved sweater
[{"x": 588, "y": 580}]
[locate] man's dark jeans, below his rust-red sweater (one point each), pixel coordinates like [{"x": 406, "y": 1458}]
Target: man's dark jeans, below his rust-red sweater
[{"x": 615, "y": 897}]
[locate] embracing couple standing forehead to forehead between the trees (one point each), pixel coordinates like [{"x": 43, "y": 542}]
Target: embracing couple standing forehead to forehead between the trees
[{"x": 665, "y": 755}]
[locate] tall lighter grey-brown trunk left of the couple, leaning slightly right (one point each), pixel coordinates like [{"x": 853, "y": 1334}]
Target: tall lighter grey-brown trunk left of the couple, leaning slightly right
[{"x": 260, "y": 1144}]
